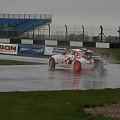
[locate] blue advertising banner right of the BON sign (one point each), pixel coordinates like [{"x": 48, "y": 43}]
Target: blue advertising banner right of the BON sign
[{"x": 31, "y": 50}]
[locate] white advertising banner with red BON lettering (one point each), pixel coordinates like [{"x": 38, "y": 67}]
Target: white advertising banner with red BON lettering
[{"x": 9, "y": 48}]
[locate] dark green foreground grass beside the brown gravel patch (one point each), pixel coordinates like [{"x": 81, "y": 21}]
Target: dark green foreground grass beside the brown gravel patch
[{"x": 55, "y": 105}]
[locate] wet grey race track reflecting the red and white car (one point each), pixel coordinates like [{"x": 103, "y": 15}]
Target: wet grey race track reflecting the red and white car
[{"x": 39, "y": 77}]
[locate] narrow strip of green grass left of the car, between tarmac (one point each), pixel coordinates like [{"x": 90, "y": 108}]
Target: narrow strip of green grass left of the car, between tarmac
[{"x": 13, "y": 62}]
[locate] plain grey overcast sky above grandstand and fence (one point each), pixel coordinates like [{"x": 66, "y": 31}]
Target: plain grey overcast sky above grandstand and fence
[{"x": 69, "y": 12}]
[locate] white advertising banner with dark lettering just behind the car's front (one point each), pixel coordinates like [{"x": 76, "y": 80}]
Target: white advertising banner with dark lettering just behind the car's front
[{"x": 54, "y": 50}]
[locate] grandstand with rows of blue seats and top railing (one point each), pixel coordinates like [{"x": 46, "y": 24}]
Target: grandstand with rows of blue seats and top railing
[{"x": 15, "y": 25}]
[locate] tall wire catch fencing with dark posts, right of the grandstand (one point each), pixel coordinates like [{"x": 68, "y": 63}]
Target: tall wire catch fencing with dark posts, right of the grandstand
[{"x": 76, "y": 33}]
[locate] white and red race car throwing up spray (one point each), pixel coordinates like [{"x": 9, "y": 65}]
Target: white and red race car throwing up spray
[{"x": 77, "y": 60}]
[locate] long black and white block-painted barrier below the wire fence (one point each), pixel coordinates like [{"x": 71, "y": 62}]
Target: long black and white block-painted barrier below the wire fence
[{"x": 62, "y": 43}]
